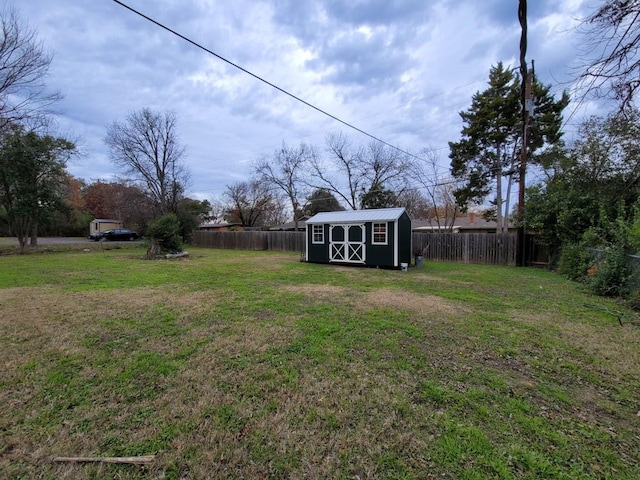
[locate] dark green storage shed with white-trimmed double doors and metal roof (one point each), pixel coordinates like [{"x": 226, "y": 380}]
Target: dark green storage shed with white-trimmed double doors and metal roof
[{"x": 377, "y": 237}]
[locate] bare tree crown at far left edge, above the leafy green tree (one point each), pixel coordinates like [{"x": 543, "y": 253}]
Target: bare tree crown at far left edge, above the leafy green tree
[{"x": 24, "y": 63}]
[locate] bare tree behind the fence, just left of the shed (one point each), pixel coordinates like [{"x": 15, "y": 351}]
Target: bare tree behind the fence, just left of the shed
[{"x": 285, "y": 171}]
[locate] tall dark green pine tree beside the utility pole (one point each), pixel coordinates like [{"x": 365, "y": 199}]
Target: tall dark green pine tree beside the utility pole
[{"x": 487, "y": 155}]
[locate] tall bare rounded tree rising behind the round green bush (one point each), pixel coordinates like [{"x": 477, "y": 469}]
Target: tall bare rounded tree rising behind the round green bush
[{"x": 146, "y": 145}]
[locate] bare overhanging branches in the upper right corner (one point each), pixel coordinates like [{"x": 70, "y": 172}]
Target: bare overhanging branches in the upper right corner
[{"x": 612, "y": 53}]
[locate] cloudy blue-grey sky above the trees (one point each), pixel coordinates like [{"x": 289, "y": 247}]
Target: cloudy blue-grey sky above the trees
[{"x": 400, "y": 70}]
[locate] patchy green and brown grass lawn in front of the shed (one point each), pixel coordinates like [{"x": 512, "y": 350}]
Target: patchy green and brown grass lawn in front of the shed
[{"x": 255, "y": 365}]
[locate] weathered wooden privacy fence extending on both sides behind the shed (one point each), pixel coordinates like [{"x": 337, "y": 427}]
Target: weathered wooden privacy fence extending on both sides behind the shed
[{"x": 493, "y": 249}]
